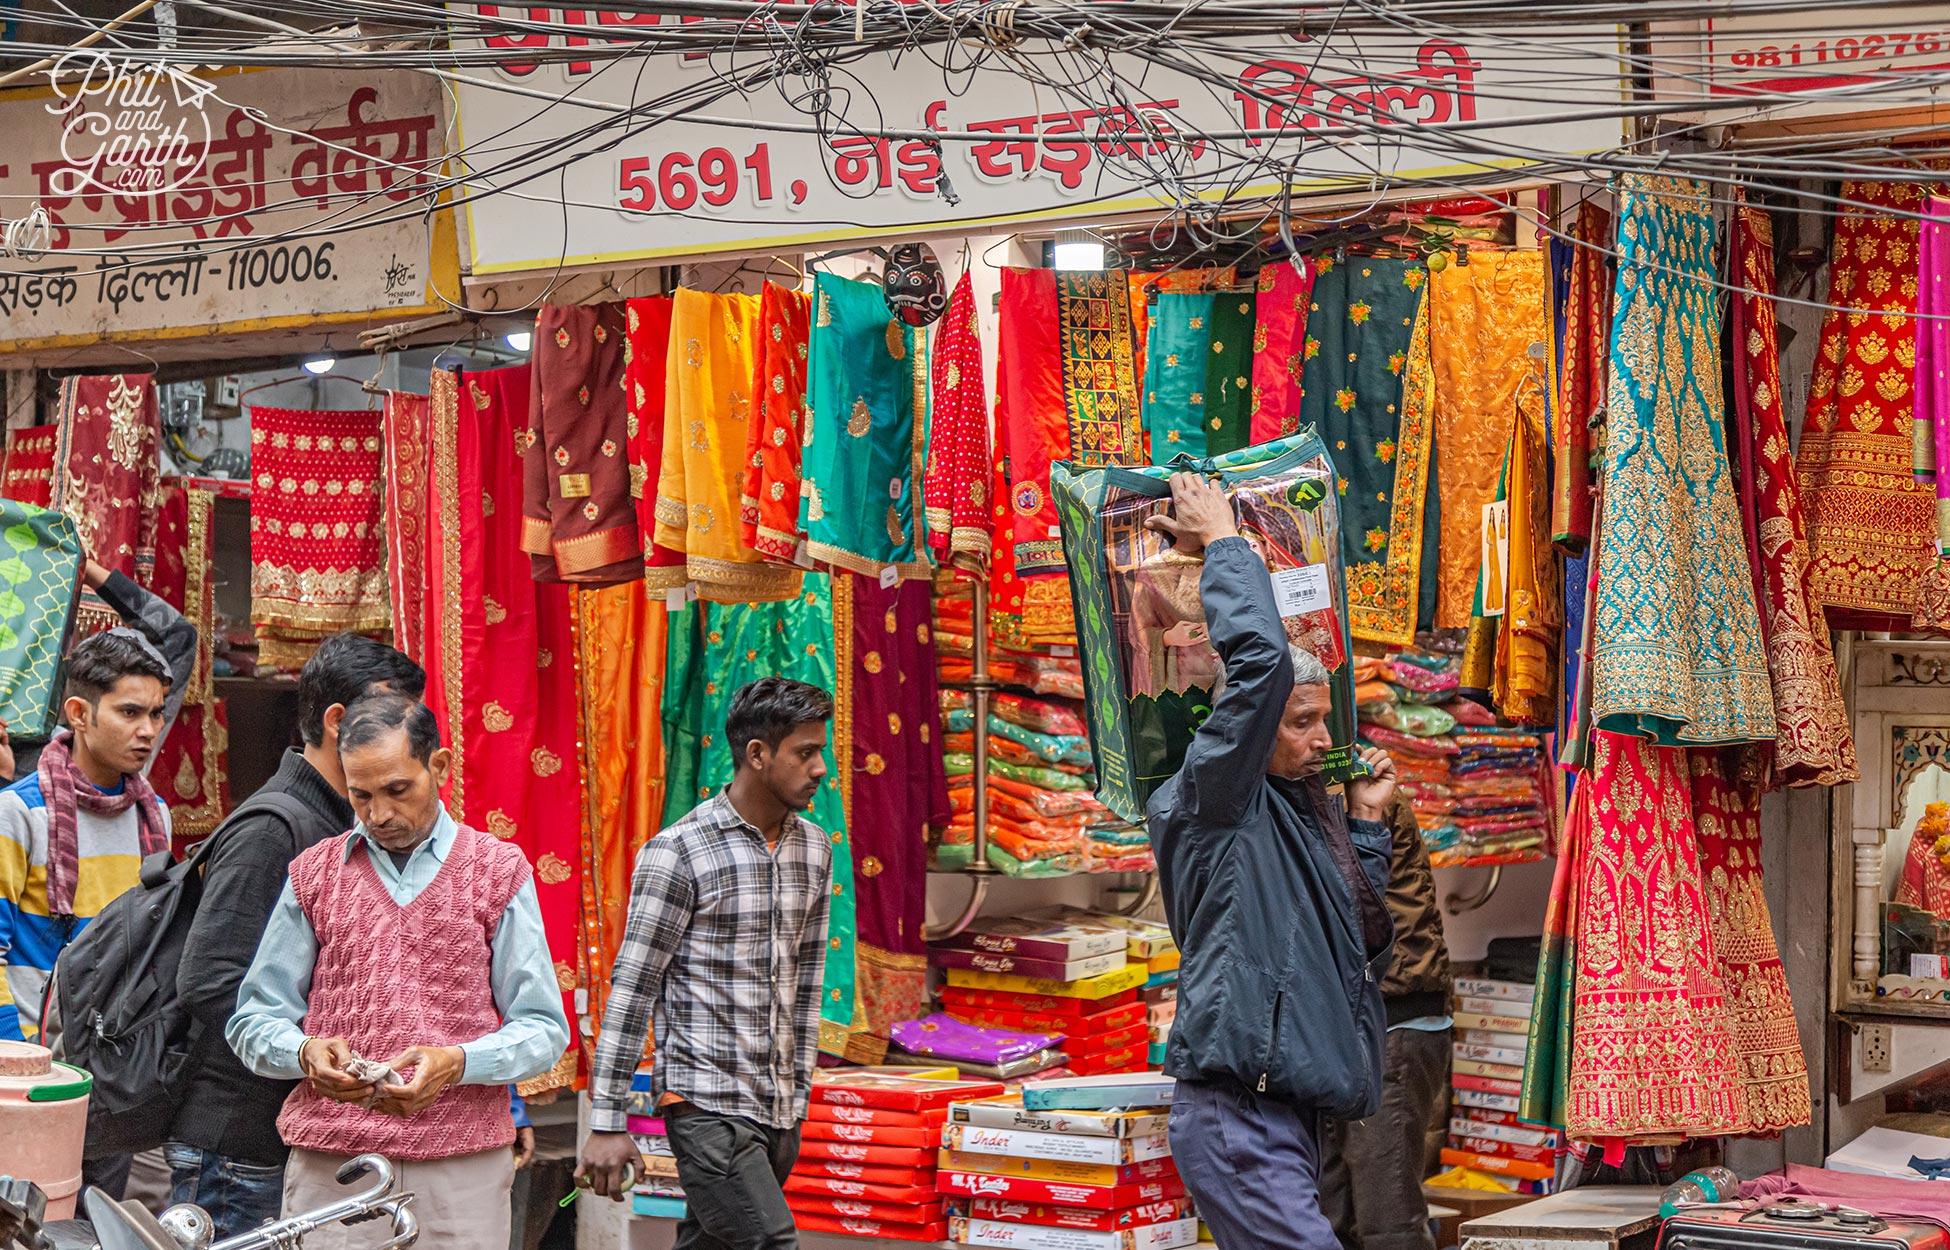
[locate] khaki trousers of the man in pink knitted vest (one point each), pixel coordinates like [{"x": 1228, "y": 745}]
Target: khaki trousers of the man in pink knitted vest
[{"x": 461, "y": 1204}]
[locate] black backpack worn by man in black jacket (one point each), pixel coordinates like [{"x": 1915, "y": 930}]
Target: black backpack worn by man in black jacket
[{"x": 112, "y": 1005}]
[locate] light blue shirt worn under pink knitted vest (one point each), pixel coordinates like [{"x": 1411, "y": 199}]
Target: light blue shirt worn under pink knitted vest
[{"x": 266, "y": 1029}]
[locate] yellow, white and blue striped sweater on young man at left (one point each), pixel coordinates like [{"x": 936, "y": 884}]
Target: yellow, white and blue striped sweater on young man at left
[{"x": 30, "y": 939}]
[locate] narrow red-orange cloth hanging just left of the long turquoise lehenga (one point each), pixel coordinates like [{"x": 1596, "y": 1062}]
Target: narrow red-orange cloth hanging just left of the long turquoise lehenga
[{"x": 1582, "y": 377}]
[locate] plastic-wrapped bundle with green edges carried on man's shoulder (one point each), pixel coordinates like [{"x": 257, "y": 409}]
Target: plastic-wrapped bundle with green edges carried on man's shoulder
[{"x": 1151, "y": 672}]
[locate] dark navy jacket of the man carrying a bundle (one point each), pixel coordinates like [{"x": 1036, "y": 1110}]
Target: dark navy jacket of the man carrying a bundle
[{"x": 1274, "y": 896}]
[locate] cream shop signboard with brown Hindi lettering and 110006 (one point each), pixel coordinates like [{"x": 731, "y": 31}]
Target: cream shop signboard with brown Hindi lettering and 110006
[{"x": 184, "y": 206}]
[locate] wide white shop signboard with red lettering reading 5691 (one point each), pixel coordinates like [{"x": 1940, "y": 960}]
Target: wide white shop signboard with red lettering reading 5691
[{"x": 561, "y": 178}]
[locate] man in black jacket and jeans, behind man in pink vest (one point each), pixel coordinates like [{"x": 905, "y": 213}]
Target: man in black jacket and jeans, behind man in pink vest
[{"x": 225, "y": 1152}]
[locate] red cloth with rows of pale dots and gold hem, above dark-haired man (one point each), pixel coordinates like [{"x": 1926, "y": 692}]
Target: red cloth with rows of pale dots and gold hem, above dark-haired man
[{"x": 317, "y": 531}]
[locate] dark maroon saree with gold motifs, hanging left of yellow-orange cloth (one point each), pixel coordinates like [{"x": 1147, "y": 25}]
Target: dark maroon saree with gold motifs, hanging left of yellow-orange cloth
[{"x": 578, "y": 512}]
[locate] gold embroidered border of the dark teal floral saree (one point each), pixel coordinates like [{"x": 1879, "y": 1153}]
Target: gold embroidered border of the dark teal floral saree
[{"x": 1384, "y": 600}]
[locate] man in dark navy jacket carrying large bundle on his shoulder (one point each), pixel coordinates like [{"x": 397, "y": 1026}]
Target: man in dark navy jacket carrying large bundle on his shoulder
[{"x": 1274, "y": 890}]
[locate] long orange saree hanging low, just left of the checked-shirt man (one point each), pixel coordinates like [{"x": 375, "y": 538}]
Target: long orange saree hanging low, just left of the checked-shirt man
[{"x": 621, "y": 664}]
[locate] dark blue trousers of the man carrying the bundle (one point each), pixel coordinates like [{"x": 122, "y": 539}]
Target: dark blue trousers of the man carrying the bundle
[{"x": 1253, "y": 1167}]
